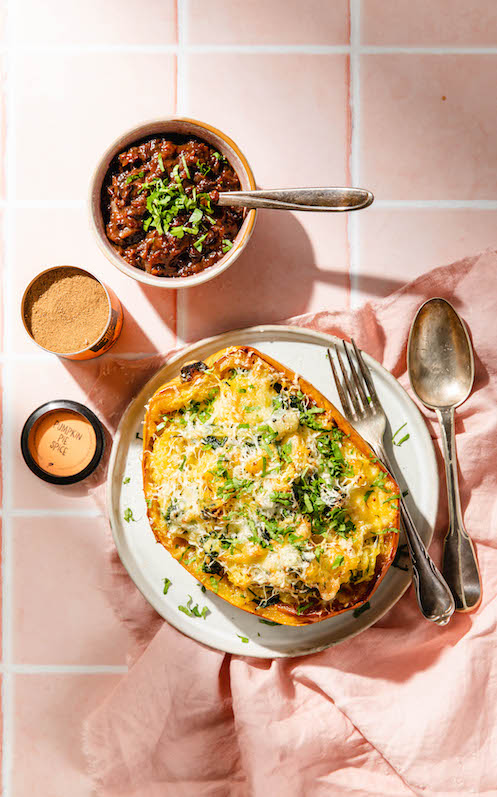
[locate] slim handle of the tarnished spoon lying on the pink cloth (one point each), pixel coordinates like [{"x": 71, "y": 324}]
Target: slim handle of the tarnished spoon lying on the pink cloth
[{"x": 460, "y": 566}]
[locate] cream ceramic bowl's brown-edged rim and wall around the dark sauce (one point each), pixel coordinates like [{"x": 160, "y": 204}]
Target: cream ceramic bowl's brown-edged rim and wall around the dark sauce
[{"x": 182, "y": 126}]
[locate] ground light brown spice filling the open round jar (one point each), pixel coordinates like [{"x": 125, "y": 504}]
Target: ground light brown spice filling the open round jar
[{"x": 66, "y": 310}]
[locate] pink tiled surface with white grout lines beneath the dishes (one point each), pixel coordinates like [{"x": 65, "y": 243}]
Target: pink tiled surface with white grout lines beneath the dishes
[{"x": 313, "y": 93}]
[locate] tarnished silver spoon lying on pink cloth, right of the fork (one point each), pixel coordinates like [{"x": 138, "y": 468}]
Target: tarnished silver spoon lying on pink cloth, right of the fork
[{"x": 441, "y": 369}]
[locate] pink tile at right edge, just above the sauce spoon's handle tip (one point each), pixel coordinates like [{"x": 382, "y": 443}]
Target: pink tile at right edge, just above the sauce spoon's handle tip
[{"x": 428, "y": 126}]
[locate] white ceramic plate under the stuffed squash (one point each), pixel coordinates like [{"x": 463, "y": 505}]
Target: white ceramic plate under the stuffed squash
[{"x": 226, "y": 626}]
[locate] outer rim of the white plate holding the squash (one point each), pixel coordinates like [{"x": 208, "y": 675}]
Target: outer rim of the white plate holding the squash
[{"x": 389, "y": 592}]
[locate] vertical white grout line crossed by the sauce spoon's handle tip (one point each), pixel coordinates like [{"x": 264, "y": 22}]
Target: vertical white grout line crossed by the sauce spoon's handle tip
[{"x": 355, "y": 141}]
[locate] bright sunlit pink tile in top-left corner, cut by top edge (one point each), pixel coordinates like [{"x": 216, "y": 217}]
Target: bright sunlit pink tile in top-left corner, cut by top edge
[{"x": 94, "y": 22}]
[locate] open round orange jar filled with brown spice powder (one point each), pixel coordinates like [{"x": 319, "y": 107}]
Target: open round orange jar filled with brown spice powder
[{"x": 69, "y": 312}]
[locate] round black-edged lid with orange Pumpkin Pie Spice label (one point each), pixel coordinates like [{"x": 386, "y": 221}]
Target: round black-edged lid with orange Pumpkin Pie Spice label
[{"x": 62, "y": 442}]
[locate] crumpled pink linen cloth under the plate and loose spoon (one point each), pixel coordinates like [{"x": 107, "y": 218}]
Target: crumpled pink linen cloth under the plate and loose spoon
[{"x": 404, "y": 708}]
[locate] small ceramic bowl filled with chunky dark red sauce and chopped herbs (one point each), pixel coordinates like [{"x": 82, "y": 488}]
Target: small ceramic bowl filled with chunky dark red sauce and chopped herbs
[{"x": 153, "y": 203}]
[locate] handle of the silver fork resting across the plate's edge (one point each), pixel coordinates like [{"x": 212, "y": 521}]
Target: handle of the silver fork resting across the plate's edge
[{"x": 432, "y": 593}]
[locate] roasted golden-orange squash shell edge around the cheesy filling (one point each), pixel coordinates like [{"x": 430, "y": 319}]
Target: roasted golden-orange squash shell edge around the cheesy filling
[{"x": 194, "y": 382}]
